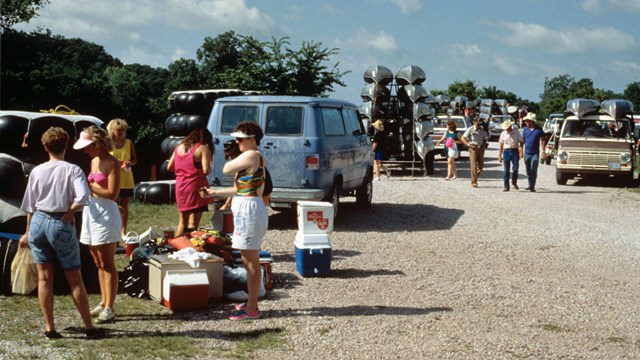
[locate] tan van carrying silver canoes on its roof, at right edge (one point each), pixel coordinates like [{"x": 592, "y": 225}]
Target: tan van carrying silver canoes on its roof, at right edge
[{"x": 597, "y": 139}]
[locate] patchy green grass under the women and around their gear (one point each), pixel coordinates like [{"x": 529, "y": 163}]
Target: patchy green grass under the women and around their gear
[{"x": 144, "y": 329}]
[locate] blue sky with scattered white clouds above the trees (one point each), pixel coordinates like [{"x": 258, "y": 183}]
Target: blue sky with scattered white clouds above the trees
[{"x": 510, "y": 44}]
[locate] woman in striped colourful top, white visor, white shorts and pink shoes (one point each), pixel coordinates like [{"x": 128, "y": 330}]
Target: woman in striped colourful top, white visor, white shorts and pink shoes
[{"x": 250, "y": 217}]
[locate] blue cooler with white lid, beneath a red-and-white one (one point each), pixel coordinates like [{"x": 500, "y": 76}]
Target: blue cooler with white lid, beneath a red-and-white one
[{"x": 313, "y": 254}]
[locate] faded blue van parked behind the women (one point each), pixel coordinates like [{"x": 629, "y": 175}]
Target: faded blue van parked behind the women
[{"x": 315, "y": 148}]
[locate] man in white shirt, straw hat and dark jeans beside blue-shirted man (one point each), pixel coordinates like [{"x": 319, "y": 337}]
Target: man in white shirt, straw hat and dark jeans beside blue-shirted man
[{"x": 511, "y": 151}]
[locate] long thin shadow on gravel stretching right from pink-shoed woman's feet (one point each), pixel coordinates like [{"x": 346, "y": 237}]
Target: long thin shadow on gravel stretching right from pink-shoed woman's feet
[{"x": 358, "y": 310}]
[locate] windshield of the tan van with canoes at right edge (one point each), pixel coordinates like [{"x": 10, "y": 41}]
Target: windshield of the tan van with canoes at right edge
[{"x": 618, "y": 129}]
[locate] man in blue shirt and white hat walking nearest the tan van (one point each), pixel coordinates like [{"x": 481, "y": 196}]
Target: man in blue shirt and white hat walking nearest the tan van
[{"x": 534, "y": 140}]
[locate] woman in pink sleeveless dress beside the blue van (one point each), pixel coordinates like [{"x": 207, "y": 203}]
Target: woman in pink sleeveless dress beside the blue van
[{"x": 191, "y": 162}]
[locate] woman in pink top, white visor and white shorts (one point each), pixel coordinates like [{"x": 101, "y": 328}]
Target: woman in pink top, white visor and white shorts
[{"x": 101, "y": 221}]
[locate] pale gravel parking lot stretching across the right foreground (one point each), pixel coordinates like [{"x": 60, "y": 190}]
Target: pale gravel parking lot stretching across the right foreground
[{"x": 437, "y": 269}]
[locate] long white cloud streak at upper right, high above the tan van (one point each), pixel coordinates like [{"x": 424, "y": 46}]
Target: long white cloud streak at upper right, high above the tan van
[{"x": 568, "y": 41}]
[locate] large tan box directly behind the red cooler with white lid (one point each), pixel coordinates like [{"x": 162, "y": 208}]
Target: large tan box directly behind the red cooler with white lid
[{"x": 160, "y": 264}]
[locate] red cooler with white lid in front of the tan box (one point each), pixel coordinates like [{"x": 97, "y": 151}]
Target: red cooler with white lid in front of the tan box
[{"x": 185, "y": 290}]
